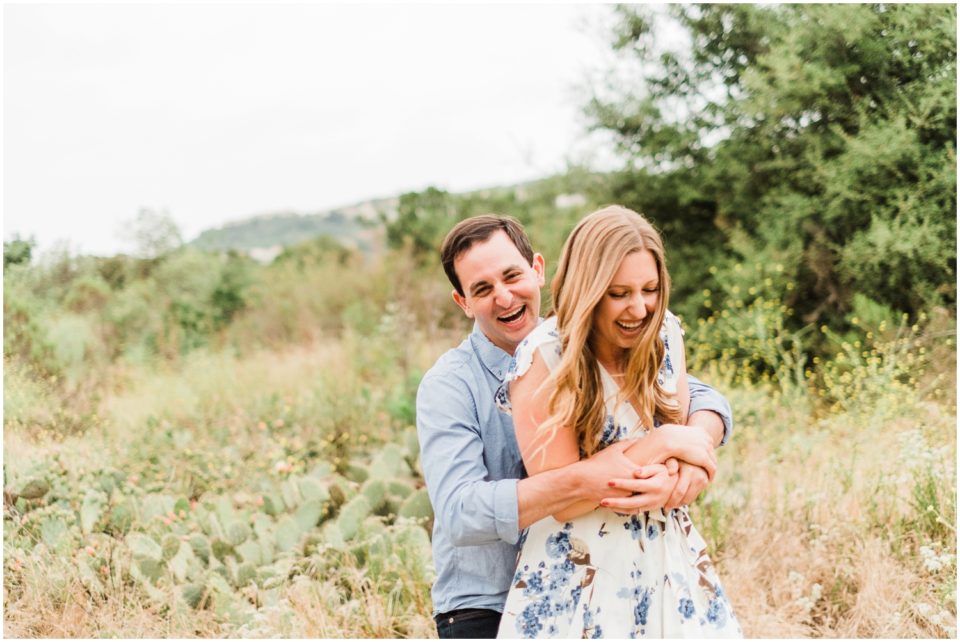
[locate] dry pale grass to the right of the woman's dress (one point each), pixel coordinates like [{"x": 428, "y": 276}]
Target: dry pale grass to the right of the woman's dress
[{"x": 823, "y": 529}]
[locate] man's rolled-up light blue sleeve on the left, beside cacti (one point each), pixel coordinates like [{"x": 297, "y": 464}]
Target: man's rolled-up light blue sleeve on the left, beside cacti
[{"x": 471, "y": 508}]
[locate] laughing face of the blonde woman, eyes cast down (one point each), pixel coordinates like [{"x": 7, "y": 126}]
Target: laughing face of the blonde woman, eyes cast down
[{"x": 630, "y": 300}]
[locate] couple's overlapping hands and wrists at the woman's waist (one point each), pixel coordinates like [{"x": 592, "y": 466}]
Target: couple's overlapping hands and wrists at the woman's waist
[{"x": 666, "y": 469}]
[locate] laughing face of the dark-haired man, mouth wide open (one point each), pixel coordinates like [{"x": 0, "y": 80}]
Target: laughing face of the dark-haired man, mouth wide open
[{"x": 501, "y": 290}]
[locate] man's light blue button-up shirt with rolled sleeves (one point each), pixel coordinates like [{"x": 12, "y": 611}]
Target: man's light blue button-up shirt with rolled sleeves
[{"x": 471, "y": 463}]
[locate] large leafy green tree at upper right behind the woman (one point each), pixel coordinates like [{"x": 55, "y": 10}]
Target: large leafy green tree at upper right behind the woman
[{"x": 817, "y": 137}]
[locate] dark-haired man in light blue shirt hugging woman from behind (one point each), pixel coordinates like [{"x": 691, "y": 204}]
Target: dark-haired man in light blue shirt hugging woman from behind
[{"x": 472, "y": 465}]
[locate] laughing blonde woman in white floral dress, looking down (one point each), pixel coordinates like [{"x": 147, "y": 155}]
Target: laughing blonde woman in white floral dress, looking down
[{"x": 609, "y": 366}]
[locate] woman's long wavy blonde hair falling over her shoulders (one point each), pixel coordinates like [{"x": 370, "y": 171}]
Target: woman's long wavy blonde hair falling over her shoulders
[{"x": 591, "y": 256}]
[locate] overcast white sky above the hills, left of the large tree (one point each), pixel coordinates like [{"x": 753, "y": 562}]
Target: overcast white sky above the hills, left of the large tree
[{"x": 220, "y": 112}]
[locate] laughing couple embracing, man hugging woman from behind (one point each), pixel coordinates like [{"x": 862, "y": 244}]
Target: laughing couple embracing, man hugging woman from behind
[{"x": 560, "y": 454}]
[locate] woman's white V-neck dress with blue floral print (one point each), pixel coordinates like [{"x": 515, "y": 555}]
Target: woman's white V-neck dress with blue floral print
[{"x": 605, "y": 574}]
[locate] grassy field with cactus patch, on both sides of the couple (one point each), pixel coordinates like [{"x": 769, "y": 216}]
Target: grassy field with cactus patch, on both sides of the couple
[{"x": 278, "y": 494}]
